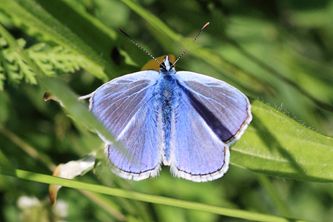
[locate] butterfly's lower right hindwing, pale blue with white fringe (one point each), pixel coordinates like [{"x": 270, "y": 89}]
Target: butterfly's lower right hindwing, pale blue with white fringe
[{"x": 197, "y": 154}]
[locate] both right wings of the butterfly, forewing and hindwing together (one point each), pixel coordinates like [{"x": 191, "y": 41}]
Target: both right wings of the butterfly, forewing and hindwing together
[{"x": 209, "y": 115}]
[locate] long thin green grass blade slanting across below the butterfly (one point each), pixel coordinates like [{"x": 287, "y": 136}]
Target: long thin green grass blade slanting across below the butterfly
[{"x": 41, "y": 178}]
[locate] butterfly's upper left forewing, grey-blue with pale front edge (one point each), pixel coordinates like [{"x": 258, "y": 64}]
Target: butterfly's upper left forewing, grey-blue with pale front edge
[{"x": 116, "y": 102}]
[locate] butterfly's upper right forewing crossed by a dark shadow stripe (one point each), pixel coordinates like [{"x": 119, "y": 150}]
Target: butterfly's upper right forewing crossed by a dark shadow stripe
[{"x": 225, "y": 109}]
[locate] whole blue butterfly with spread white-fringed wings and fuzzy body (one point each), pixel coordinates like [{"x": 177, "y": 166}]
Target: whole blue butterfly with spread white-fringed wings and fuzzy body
[{"x": 184, "y": 120}]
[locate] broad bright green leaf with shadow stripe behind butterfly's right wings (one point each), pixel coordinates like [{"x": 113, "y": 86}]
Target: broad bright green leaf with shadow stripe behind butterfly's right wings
[{"x": 277, "y": 145}]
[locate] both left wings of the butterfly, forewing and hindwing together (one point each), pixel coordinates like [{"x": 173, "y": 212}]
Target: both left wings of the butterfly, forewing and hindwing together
[{"x": 126, "y": 107}]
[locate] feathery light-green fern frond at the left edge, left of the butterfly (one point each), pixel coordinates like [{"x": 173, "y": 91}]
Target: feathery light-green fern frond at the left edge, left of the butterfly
[{"x": 52, "y": 60}]
